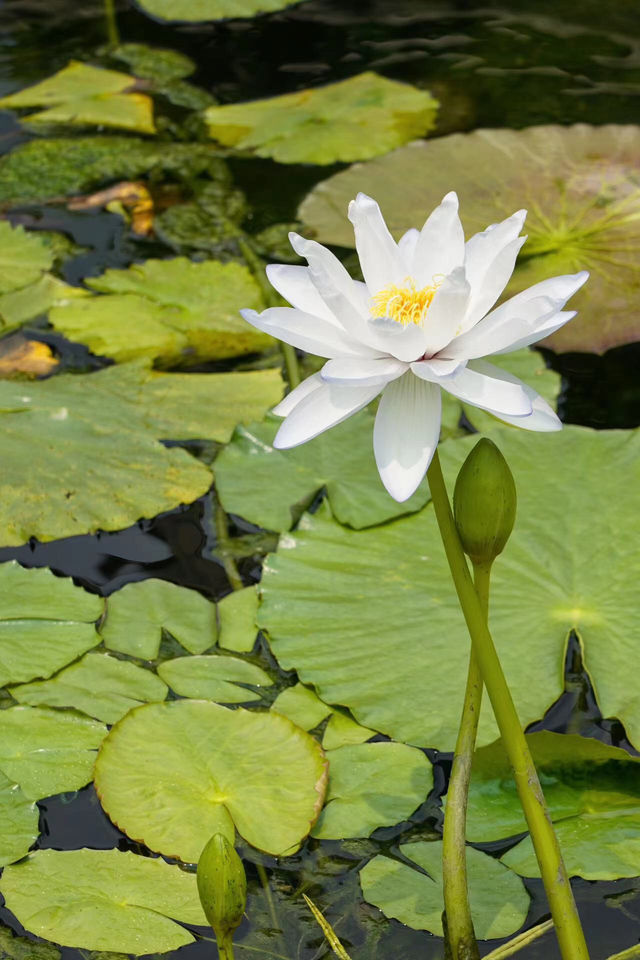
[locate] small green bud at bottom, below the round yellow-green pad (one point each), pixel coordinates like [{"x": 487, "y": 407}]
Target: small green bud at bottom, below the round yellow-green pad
[{"x": 222, "y": 886}]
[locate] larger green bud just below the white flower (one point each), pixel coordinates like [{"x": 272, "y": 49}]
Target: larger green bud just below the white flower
[{"x": 484, "y": 502}]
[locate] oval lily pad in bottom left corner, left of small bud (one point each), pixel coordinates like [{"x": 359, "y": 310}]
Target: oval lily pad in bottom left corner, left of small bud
[{"x": 103, "y": 900}]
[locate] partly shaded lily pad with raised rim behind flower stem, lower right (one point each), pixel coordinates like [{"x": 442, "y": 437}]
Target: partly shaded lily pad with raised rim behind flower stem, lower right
[{"x": 593, "y": 793}]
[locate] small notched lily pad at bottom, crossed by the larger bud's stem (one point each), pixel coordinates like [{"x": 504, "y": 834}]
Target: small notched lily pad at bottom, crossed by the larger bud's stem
[{"x": 498, "y": 898}]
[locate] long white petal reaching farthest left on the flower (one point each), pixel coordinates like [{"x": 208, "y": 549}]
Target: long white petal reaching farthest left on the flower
[{"x": 307, "y": 332}]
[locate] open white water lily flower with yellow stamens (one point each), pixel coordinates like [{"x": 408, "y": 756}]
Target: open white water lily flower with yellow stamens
[{"x": 419, "y": 324}]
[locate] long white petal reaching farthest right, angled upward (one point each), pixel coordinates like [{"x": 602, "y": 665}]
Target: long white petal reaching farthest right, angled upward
[{"x": 518, "y": 319}]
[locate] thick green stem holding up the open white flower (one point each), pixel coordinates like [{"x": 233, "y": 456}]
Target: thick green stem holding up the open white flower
[{"x": 554, "y": 875}]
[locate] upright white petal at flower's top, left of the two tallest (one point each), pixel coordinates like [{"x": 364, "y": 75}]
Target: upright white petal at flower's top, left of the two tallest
[{"x": 380, "y": 259}]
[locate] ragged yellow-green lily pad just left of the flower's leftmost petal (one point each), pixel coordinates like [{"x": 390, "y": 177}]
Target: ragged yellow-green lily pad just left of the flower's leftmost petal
[{"x": 182, "y": 312}]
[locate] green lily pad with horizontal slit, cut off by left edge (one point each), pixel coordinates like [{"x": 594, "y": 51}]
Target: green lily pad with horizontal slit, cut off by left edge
[{"x": 45, "y": 622}]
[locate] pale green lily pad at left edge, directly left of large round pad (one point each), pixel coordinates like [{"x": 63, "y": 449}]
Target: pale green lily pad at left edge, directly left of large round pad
[{"x": 46, "y": 751}]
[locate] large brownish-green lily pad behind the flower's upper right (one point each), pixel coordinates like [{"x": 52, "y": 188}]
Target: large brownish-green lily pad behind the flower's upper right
[{"x": 579, "y": 183}]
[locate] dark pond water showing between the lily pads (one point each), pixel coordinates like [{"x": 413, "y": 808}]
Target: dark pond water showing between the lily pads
[{"x": 505, "y": 65}]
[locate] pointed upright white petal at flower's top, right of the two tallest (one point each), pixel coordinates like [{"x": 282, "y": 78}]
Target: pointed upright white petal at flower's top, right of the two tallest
[{"x": 440, "y": 247}]
